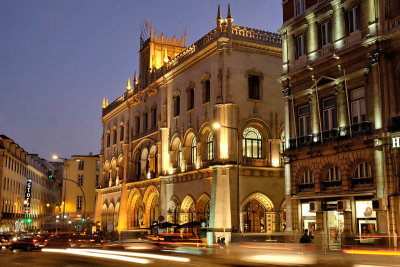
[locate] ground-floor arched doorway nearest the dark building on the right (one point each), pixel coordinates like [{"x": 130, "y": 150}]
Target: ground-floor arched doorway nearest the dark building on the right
[{"x": 257, "y": 215}]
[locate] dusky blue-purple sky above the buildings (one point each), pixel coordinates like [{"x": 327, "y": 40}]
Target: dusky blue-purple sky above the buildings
[{"x": 59, "y": 58}]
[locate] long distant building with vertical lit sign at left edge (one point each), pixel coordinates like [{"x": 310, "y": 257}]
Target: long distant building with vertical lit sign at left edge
[{"x": 27, "y": 196}]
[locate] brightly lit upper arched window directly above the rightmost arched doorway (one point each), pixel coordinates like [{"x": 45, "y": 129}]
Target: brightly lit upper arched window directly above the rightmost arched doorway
[{"x": 252, "y": 143}]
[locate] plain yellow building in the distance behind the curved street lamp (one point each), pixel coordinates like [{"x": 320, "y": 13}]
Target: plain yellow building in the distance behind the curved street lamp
[{"x": 82, "y": 171}]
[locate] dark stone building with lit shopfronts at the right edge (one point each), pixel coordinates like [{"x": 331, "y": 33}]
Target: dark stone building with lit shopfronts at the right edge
[{"x": 341, "y": 86}]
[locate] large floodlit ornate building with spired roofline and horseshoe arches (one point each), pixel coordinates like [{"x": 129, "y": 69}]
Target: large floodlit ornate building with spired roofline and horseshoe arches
[{"x": 161, "y": 157}]
